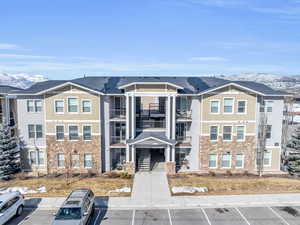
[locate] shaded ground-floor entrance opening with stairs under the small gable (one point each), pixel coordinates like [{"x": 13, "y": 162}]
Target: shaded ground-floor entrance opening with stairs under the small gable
[{"x": 150, "y": 159}]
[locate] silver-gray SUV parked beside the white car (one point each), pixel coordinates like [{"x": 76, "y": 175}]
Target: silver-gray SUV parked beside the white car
[{"x": 76, "y": 209}]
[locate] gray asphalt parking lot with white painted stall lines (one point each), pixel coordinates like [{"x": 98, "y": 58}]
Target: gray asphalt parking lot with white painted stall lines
[{"x": 200, "y": 216}]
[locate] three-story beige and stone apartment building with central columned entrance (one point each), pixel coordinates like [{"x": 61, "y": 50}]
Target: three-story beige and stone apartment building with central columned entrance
[{"x": 195, "y": 124}]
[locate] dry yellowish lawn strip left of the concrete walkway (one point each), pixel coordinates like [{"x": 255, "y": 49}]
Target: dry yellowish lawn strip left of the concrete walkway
[{"x": 58, "y": 187}]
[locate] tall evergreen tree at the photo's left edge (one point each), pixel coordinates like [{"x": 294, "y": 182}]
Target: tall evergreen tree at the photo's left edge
[{"x": 9, "y": 153}]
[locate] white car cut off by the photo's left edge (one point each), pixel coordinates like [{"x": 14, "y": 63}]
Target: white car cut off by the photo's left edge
[{"x": 11, "y": 204}]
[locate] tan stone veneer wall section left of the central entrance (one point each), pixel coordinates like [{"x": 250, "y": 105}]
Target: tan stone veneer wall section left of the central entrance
[{"x": 73, "y": 147}]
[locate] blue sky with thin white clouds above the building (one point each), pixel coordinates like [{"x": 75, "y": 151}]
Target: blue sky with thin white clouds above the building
[{"x": 64, "y": 39}]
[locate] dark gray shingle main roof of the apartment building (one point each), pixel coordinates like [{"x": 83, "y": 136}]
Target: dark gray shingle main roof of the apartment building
[{"x": 190, "y": 85}]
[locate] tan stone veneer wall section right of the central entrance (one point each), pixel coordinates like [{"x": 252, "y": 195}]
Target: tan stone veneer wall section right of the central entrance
[{"x": 247, "y": 147}]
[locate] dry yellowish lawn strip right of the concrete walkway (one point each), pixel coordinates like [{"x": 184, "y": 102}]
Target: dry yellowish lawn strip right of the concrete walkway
[{"x": 236, "y": 184}]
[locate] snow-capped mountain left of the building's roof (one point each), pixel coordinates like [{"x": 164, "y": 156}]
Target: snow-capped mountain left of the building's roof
[{"x": 20, "y": 80}]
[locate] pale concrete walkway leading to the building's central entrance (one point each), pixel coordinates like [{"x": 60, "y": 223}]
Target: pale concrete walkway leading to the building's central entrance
[{"x": 151, "y": 188}]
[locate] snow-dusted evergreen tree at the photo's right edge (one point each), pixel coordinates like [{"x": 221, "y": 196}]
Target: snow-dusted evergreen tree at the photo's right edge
[{"x": 293, "y": 159}]
